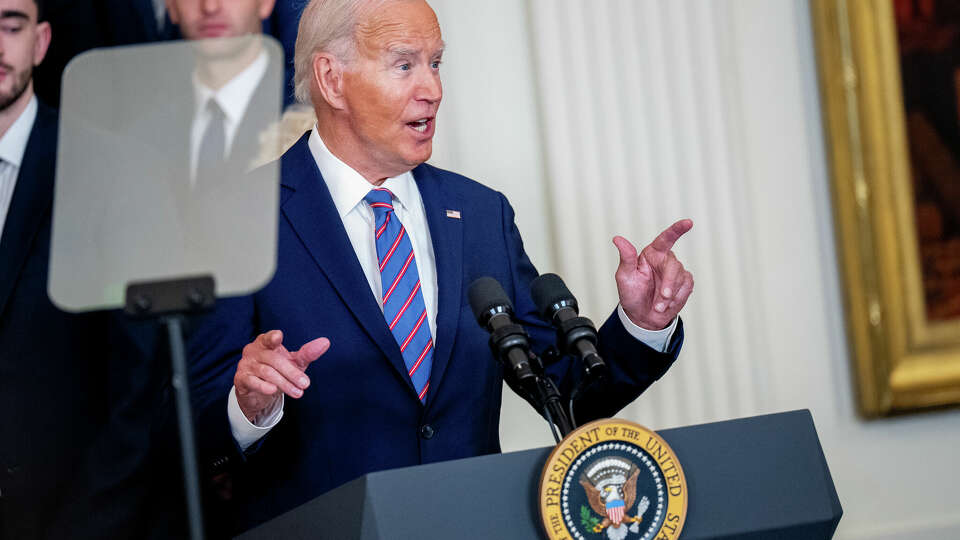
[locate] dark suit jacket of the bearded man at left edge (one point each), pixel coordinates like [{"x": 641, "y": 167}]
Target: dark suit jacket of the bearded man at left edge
[{"x": 33, "y": 468}]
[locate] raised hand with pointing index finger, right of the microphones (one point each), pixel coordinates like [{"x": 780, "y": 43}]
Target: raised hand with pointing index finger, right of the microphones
[{"x": 653, "y": 285}]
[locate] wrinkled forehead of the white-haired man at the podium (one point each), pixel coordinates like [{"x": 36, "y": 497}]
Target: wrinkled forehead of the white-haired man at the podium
[{"x": 399, "y": 25}]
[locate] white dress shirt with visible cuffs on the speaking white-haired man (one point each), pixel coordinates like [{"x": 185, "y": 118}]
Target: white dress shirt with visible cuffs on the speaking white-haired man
[{"x": 348, "y": 188}]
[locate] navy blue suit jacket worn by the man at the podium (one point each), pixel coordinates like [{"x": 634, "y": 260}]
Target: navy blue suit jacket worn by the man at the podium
[{"x": 361, "y": 413}]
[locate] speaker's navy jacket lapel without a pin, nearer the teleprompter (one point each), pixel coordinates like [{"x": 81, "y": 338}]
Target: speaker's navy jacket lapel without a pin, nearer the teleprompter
[{"x": 314, "y": 218}]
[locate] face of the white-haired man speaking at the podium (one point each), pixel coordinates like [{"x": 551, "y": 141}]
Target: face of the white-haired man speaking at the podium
[{"x": 392, "y": 88}]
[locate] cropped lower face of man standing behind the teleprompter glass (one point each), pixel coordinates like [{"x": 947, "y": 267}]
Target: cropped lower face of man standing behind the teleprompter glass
[{"x": 204, "y": 19}]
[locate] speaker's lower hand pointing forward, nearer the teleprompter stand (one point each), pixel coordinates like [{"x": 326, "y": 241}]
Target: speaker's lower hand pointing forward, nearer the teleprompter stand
[{"x": 267, "y": 370}]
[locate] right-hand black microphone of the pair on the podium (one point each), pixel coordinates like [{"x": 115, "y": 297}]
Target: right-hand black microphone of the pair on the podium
[{"x": 575, "y": 334}]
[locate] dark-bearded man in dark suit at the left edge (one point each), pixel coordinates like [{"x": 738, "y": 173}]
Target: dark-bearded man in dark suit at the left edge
[{"x": 35, "y": 460}]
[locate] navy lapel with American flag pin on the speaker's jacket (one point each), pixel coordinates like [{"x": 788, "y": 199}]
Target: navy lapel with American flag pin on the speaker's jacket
[{"x": 447, "y": 235}]
